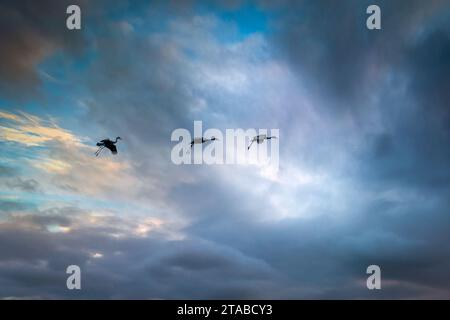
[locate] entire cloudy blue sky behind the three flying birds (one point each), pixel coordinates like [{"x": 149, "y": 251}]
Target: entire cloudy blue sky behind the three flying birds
[{"x": 364, "y": 129}]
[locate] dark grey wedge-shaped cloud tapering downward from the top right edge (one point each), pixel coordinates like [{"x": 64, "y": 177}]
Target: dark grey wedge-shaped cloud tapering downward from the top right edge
[{"x": 339, "y": 59}]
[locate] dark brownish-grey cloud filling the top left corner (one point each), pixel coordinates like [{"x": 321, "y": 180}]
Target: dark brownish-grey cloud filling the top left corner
[{"x": 31, "y": 31}]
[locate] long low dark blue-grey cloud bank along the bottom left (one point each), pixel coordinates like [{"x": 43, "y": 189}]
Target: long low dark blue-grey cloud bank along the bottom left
[{"x": 189, "y": 268}]
